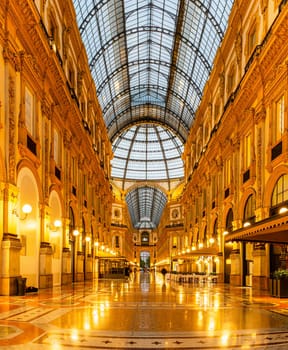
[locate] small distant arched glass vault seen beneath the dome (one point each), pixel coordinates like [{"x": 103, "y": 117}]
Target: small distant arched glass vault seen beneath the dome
[{"x": 145, "y": 206}]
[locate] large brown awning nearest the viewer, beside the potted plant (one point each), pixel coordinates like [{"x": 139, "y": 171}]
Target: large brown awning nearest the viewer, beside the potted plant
[{"x": 271, "y": 230}]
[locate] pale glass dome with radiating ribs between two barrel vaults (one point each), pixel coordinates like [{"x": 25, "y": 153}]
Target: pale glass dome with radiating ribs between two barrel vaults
[{"x": 147, "y": 152}]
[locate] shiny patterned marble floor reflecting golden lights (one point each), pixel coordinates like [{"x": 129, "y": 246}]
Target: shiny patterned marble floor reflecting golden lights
[{"x": 143, "y": 313}]
